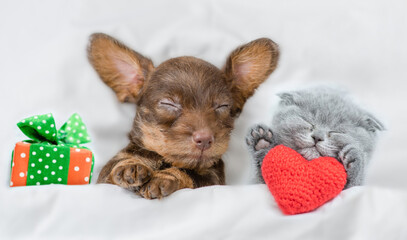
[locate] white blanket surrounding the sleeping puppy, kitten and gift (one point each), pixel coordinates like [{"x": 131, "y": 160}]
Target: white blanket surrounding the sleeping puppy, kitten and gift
[{"x": 358, "y": 45}]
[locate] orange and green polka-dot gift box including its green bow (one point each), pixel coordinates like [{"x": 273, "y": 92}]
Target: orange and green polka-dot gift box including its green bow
[{"x": 51, "y": 156}]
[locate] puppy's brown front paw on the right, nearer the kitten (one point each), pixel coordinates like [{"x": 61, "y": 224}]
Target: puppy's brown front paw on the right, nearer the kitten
[{"x": 161, "y": 185}]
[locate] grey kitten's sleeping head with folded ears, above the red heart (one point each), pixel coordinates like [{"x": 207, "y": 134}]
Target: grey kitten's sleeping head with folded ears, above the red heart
[{"x": 321, "y": 123}]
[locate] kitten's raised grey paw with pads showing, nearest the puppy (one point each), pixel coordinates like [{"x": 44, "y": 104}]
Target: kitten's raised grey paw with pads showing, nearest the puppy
[{"x": 260, "y": 137}]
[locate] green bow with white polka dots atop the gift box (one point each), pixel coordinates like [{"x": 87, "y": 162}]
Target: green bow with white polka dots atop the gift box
[{"x": 41, "y": 128}]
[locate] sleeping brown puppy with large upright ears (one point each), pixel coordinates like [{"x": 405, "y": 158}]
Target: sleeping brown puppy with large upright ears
[{"x": 185, "y": 113}]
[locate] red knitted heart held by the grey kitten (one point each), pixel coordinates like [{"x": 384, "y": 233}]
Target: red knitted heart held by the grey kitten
[{"x": 299, "y": 185}]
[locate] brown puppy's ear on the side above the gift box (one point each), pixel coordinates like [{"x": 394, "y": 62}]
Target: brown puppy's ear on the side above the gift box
[{"x": 121, "y": 68}]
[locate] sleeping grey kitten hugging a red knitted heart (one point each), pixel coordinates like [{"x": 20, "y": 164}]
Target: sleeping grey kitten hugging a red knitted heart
[{"x": 319, "y": 122}]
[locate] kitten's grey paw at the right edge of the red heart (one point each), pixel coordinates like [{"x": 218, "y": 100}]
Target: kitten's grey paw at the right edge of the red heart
[{"x": 353, "y": 161}]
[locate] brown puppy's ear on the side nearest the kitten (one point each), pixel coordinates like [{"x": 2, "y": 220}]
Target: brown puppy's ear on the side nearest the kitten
[{"x": 248, "y": 66}]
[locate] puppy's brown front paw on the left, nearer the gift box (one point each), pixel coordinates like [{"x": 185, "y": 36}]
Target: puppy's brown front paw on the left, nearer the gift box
[{"x": 131, "y": 175}]
